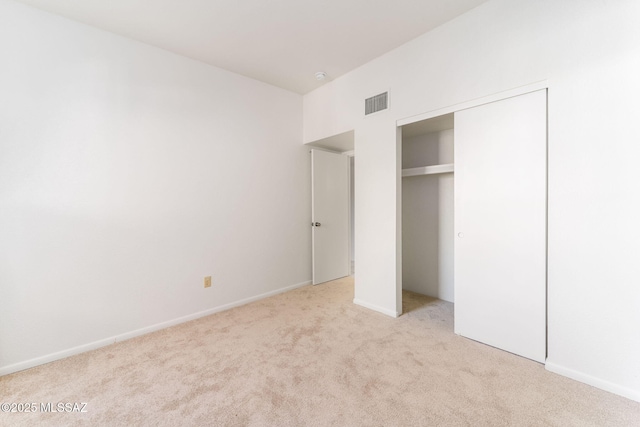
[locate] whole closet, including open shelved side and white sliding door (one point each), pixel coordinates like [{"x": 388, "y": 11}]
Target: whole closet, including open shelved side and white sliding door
[{"x": 499, "y": 226}]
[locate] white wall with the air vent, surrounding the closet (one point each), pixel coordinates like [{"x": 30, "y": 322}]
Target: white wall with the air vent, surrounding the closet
[{"x": 588, "y": 52}]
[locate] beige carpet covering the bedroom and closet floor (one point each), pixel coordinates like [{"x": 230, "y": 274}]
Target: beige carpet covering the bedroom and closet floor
[{"x": 311, "y": 357}]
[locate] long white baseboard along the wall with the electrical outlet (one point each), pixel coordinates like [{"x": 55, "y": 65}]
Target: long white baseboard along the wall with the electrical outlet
[{"x": 20, "y": 366}]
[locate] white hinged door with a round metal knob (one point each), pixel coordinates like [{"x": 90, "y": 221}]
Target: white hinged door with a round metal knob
[{"x": 330, "y": 215}]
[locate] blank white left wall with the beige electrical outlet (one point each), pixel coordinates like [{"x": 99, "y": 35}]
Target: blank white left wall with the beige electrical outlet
[{"x": 127, "y": 174}]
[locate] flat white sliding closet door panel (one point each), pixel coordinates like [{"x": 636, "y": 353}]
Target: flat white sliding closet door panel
[{"x": 500, "y": 222}]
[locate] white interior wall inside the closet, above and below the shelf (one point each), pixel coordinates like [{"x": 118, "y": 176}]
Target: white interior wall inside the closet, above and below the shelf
[{"x": 427, "y": 217}]
